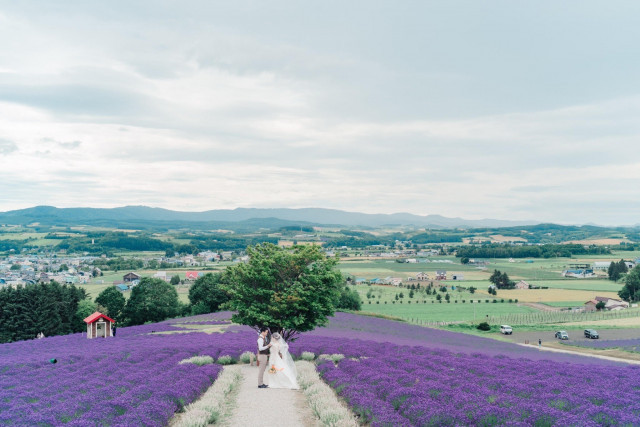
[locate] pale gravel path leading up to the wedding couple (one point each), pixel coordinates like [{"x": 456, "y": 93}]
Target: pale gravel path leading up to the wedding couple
[{"x": 268, "y": 407}]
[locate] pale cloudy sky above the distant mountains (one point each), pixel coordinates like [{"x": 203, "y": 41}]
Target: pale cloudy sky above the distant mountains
[{"x": 498, "y": 109}]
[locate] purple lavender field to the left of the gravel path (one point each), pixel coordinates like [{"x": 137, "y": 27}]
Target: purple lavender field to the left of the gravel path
[{"x": 133, "y": 379}]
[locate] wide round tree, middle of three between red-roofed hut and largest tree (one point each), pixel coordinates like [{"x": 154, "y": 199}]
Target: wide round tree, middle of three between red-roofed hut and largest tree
[{"x": 152, "y": 300}]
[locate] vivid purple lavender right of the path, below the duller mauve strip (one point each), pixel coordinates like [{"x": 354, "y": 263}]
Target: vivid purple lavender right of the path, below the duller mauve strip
[{"x": 401, "y": 386}]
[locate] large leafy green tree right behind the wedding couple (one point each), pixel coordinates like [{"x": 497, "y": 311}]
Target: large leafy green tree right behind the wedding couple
[{"x": 290, "y": 291}]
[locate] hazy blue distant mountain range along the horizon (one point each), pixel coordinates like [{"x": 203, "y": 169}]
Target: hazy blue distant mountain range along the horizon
[{"x": 131, "y": 215}]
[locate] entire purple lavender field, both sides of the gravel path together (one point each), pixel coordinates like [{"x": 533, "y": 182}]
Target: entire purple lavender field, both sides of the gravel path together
[{"x": 401, "y": 375}]
